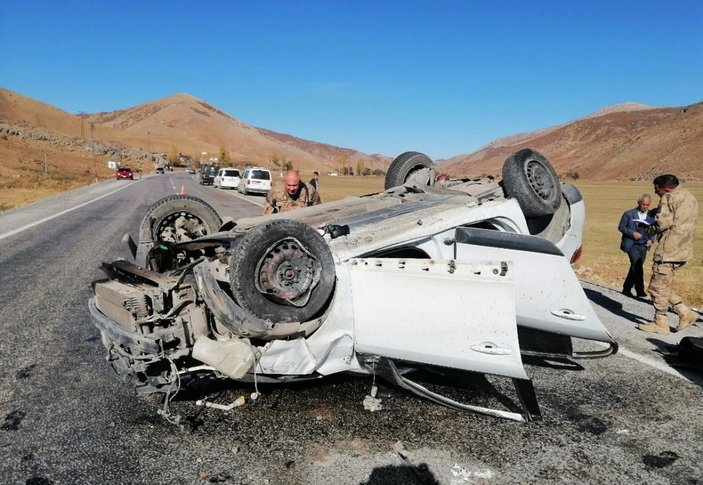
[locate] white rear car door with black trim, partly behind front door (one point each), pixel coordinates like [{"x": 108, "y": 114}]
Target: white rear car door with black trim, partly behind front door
[{"x": 548, "y": 296}]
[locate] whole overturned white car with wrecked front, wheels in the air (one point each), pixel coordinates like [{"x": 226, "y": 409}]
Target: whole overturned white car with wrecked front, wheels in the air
[{"x": 468, "y": 274}]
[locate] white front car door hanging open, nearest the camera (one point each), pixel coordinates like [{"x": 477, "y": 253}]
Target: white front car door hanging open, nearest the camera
[{"x": 446, "y": 313}]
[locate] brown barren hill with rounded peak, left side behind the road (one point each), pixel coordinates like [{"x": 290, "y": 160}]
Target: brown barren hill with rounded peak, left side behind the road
[{"x": 182, "y": 123}]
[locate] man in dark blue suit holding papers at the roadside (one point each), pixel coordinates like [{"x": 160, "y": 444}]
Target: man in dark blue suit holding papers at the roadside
[{"x": 636, "y": 242}]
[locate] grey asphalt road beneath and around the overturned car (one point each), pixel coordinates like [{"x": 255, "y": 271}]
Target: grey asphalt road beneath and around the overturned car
[{"x": 64, "y": 418}]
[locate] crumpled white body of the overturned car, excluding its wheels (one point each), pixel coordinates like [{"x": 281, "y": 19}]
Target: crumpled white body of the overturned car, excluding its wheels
[{"x": 423, "y": 277}]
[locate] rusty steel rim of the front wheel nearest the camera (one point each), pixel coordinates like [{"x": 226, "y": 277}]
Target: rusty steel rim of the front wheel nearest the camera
[{"x": 287, "y": 272}]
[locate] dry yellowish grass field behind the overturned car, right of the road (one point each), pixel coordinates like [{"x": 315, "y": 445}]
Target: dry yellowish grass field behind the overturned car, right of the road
[{"x": 602, "y": 261}]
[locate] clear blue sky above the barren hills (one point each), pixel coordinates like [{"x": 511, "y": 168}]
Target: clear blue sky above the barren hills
[{"x": 441, "y": 77}]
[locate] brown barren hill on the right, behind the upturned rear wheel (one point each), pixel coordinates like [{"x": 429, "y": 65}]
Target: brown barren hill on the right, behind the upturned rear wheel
[{"x": 622, "y": 142}]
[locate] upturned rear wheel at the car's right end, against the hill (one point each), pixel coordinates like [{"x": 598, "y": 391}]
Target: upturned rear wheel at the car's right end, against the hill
[{"x": 532, "y": 181}]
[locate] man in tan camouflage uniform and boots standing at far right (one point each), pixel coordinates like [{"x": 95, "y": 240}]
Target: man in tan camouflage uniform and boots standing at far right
[{"x": 676, "y": 224}]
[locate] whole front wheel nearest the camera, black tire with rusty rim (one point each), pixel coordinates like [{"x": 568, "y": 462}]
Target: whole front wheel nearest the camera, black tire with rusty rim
[{"x": 282, "y": 271}]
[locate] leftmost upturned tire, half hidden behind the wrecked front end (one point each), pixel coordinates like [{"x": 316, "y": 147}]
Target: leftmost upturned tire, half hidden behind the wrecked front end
[{"x": 163, "y": 213}]
